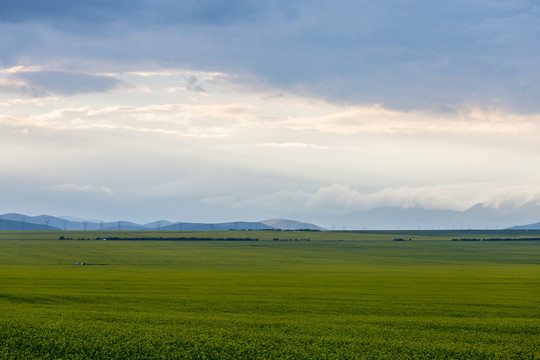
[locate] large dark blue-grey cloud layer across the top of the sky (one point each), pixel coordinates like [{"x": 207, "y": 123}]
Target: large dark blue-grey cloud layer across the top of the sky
[{"x": 402, "y": 54}]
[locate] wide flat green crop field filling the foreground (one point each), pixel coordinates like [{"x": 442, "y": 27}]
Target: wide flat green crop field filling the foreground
[{"x": 289, "y": 295}]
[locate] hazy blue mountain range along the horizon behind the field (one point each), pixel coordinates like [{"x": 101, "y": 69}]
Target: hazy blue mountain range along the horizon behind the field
[{"x": 479, "y": 216}]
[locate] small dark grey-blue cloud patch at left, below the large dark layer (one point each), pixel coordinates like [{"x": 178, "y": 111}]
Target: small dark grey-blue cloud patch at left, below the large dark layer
[{"x": 43, "y": 83}]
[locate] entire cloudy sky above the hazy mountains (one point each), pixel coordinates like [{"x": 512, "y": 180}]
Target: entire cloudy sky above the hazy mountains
[{"x": 219, "y": 110}]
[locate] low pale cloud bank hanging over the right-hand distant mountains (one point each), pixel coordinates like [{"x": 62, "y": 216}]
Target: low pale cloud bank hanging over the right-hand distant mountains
[{"x": 340, "y": 198}]
